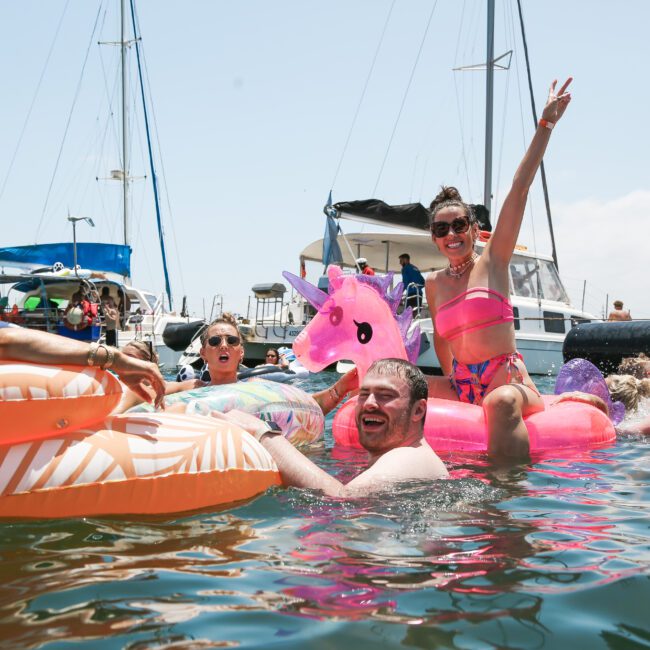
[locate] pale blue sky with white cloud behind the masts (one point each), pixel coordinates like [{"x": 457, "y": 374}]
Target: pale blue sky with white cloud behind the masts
[{"x": 260, "y": 108}]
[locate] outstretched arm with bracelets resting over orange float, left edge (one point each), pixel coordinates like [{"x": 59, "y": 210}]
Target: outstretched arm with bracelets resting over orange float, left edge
[{"x": 21, "y": 344}]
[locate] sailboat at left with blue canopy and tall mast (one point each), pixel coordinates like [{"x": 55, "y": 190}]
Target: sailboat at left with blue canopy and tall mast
[{"x": 39, "y": 294}]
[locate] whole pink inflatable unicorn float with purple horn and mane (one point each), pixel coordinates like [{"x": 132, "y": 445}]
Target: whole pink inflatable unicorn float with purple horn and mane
[{"x": 357, "y": 320}]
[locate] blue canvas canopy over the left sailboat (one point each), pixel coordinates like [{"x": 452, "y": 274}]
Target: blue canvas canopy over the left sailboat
[{"x": 110, "y": 258}]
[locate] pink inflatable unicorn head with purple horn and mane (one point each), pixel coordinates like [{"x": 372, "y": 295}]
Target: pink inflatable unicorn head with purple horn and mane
[{"x": 357, "y": 320}]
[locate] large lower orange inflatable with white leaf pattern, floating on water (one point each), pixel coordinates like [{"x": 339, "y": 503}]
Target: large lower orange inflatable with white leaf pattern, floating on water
[{"x": 144, "y": 464}]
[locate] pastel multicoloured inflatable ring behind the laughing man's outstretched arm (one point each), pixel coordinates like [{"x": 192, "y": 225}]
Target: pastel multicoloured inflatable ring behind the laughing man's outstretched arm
[{"x": 294, "y": 411}]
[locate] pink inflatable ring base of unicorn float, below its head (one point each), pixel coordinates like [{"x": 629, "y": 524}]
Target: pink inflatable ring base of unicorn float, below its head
[{"x": 456, "y": 426}]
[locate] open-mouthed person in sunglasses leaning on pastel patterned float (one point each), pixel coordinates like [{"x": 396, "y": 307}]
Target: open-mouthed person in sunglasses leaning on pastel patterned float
[{"x": 223, "y": 351}]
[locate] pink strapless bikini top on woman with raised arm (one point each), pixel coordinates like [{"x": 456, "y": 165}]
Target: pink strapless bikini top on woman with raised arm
[{"x": 462, "y": 315}]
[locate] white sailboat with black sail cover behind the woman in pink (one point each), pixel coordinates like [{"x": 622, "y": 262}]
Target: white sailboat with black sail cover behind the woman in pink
[{"x": 543, "y": 311}]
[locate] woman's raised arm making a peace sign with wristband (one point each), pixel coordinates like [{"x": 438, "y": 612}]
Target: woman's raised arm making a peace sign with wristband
[{"x": 502, "y": 243}]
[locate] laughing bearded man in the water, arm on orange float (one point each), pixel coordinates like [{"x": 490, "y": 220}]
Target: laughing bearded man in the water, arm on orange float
[{"x": 389, "y": 414}]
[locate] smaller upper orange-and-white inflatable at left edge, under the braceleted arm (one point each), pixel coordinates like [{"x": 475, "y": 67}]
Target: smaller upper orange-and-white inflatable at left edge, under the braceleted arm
[{"x": 38, "y": 401}]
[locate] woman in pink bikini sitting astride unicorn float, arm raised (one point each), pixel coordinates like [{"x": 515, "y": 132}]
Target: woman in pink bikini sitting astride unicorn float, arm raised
[{"x": 474, "y": 335}]
